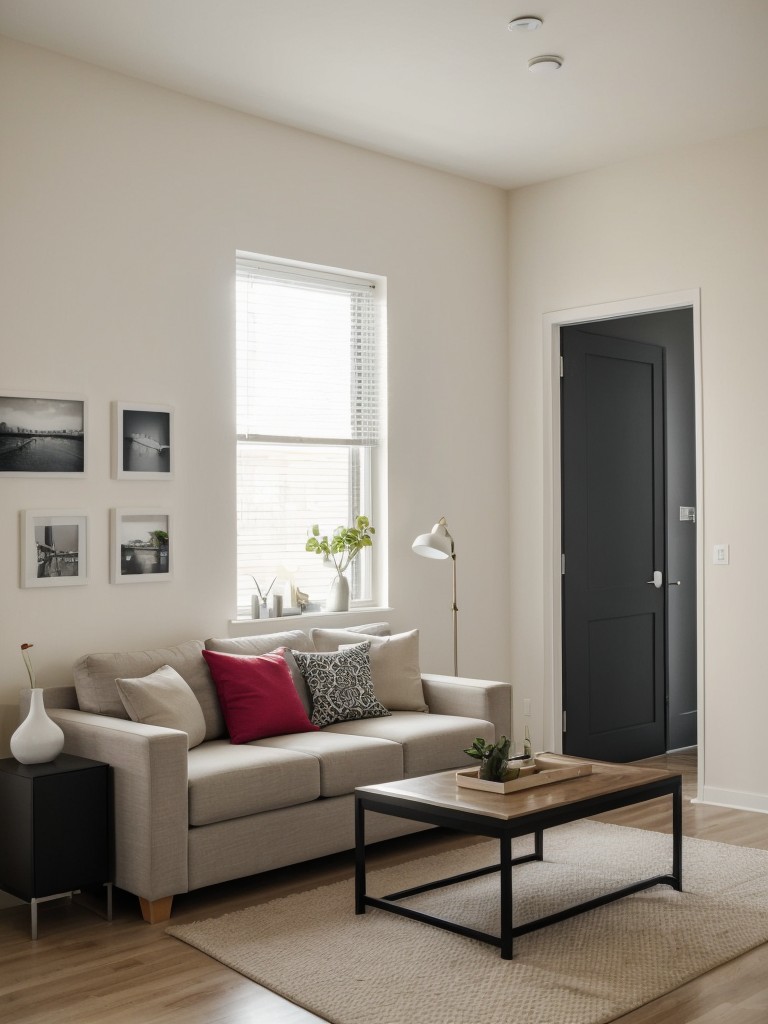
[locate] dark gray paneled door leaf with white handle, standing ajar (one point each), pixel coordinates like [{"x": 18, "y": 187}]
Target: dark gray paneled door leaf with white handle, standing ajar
[{"x": 614, "y": 544}]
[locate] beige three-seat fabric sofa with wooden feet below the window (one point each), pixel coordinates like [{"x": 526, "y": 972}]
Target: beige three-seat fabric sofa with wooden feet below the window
[{"x": 188, "y": 819}]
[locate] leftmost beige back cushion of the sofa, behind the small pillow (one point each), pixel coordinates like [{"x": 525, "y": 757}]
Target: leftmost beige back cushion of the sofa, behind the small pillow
[{"x": 98, "y": 692}]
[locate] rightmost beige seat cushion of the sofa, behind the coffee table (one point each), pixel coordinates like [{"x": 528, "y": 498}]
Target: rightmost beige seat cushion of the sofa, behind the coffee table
[{"x": 431, "y": 743}]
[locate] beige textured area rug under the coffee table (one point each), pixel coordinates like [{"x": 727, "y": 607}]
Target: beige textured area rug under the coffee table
[{"x": 381, "y": 969}]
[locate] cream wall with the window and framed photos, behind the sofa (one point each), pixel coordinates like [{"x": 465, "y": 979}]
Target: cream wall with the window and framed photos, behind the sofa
[{"x": 121, "y": 208}]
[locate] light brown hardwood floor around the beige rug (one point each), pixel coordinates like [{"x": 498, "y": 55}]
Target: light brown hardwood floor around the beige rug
[{"x": 83, "y": 970}]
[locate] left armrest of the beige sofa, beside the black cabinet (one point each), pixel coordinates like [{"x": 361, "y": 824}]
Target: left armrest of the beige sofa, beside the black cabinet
[{"x": 150, "y": 797}]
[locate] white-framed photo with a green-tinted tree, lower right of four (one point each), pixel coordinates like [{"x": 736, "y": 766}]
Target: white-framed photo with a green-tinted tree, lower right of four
[{"x": 142, "y": 545}]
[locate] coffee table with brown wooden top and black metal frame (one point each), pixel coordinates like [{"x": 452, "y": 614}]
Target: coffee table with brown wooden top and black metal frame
[{"x": 438, "y": 800}]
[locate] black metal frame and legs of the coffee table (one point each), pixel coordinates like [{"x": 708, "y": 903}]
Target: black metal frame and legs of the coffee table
[{"x": 505, "y": 831}]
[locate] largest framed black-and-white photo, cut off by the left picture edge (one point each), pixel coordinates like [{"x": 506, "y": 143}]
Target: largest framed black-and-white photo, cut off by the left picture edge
[{"x": 41, "y": 436}]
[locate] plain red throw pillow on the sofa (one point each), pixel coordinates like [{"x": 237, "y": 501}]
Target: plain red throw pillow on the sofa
[{"x": 258, "y": 696}]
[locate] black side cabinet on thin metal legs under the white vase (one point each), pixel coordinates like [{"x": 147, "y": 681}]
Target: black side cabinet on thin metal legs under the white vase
[{"x": 55, "y": 822}]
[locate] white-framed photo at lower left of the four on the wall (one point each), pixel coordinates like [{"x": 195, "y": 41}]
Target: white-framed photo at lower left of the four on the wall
[{"x": 54, "y": 548}]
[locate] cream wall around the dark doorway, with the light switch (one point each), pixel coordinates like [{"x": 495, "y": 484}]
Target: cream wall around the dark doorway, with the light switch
[{"x": 697, "y": 219}]
